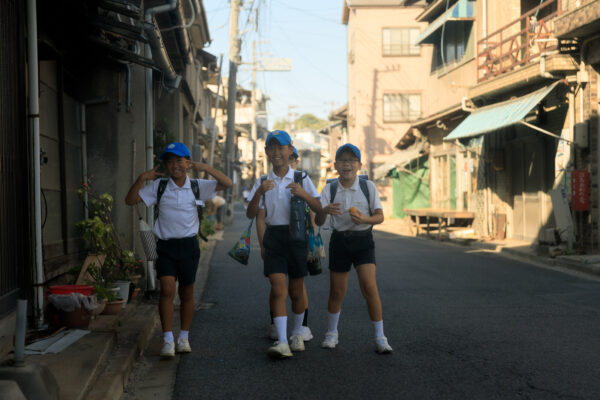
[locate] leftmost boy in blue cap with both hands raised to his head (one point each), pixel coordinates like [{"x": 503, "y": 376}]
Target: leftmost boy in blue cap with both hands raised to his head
[{"x": 176, "y": 228}]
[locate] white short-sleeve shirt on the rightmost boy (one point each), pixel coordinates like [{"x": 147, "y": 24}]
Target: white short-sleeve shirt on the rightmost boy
[{"x": 350, "y": 197}]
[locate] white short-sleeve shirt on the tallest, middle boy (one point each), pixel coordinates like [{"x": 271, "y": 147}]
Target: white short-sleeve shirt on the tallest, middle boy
[{"x": 278, "y": 199}]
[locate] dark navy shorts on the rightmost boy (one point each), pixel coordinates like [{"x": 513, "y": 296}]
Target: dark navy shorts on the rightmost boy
[{"x": 350, "y": 247}]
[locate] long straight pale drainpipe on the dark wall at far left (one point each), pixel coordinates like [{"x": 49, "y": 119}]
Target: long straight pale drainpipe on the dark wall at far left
[{"x": 34, "y": 118}]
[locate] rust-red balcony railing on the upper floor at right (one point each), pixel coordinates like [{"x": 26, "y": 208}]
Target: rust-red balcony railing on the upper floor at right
[{"x": 519, "y": 42}]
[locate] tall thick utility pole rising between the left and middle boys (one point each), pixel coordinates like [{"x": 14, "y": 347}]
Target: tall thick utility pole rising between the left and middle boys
[{"x": 234, "y": 59}]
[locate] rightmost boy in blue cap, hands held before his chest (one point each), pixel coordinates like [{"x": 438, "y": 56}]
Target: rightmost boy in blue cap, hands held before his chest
[{"x": 354, "y": 207}]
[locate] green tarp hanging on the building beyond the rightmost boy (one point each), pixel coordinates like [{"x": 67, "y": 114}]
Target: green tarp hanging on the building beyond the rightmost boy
[{"x": 410, "y": 187}]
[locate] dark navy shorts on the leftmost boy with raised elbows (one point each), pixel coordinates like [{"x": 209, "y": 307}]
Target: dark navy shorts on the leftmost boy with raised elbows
[{"x": 178, "y": 258}]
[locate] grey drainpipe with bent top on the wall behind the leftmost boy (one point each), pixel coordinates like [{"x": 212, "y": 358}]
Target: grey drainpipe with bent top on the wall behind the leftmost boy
[{"x": 153, "y": 34}]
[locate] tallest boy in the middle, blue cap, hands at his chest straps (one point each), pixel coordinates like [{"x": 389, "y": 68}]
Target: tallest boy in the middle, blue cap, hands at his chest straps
[{"x": 283, "y": 255}]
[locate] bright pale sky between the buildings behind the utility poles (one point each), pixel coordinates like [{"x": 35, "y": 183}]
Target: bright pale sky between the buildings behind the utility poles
[{"x": 309, "y": 32}]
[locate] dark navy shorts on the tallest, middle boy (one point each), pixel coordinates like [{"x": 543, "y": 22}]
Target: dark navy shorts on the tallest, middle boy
[{"x": 283, "y": 255}]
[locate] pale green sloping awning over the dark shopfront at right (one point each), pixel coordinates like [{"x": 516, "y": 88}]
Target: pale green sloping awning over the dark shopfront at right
[{"x": 500, "y": 115}]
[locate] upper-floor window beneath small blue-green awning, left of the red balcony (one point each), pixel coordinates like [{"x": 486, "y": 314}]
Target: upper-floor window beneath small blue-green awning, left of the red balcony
[{"x": 457, "y": 44}]
